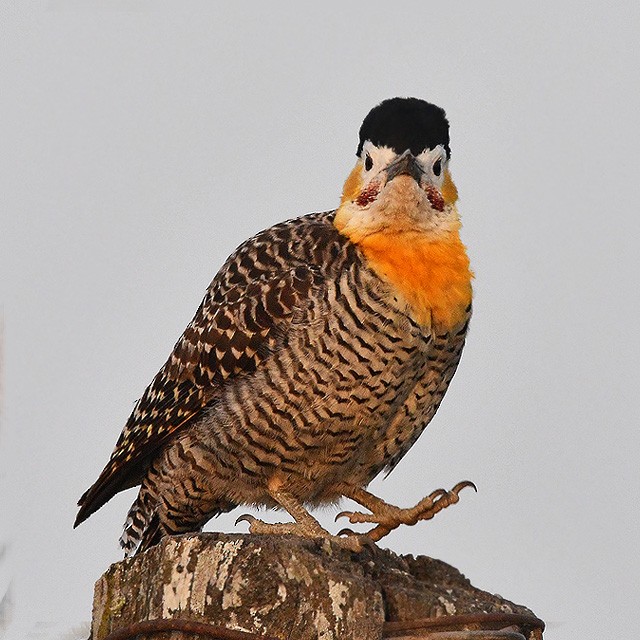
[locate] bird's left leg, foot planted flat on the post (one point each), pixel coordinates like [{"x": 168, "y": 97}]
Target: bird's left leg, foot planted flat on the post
[{"x": 305, "y": 524}]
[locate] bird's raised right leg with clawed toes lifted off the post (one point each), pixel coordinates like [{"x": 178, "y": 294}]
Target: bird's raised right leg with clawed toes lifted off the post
[{"x": 388, "y": 517}]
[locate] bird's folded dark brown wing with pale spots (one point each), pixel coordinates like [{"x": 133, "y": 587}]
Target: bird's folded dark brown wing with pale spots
[{"x": 234, "y": 329}]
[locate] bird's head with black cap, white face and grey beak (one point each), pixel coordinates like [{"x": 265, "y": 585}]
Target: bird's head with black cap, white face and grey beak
[{"x": 401, "y": 180}]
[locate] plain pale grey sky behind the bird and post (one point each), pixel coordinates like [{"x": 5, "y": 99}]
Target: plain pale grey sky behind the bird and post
[{"x": 141, "y": 142}]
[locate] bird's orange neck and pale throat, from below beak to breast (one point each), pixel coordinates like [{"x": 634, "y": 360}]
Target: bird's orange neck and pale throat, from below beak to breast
[{"x": 414, "y": 248}]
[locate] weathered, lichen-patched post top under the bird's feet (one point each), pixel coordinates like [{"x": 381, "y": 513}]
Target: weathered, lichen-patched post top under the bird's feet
[{"x": 282, "y": 586}]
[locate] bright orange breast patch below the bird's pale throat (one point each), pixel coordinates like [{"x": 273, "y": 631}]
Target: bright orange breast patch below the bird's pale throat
[{"x": 431, "y": 274}]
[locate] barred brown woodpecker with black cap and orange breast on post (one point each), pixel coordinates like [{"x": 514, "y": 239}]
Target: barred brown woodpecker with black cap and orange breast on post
[{"x": 321, "y": 350}]
